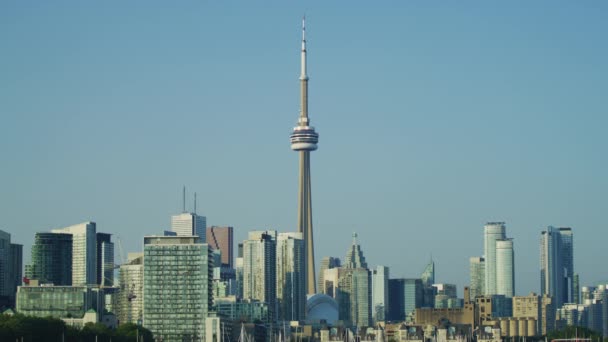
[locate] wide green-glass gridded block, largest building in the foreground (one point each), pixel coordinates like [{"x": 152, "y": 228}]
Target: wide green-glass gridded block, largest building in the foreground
[{"x": 177, "y": 292}]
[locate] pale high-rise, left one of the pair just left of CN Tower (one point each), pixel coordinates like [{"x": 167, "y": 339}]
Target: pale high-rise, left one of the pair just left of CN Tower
[{"x": 259, "y": 268}]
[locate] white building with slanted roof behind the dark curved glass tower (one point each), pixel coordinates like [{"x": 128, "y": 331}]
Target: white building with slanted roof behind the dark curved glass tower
[{"x": 84, "y": 252}]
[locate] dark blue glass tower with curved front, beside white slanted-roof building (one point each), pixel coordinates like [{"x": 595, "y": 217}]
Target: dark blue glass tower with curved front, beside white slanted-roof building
[{"x": 51, "y": 260}]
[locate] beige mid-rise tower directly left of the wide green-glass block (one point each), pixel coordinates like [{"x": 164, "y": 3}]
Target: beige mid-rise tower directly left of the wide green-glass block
[{"x": 131, "y": 294}]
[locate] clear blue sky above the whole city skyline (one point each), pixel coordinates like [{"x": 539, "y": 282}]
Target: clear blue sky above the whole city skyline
[{"x": 433, "y": 119}]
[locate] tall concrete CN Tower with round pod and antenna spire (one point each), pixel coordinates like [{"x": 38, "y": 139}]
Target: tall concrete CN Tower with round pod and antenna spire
[{"x": 304, "y": 140}]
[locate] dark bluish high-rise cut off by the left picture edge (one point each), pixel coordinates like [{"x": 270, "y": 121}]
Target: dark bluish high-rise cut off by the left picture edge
[{"x": 11, "y": 264}]
